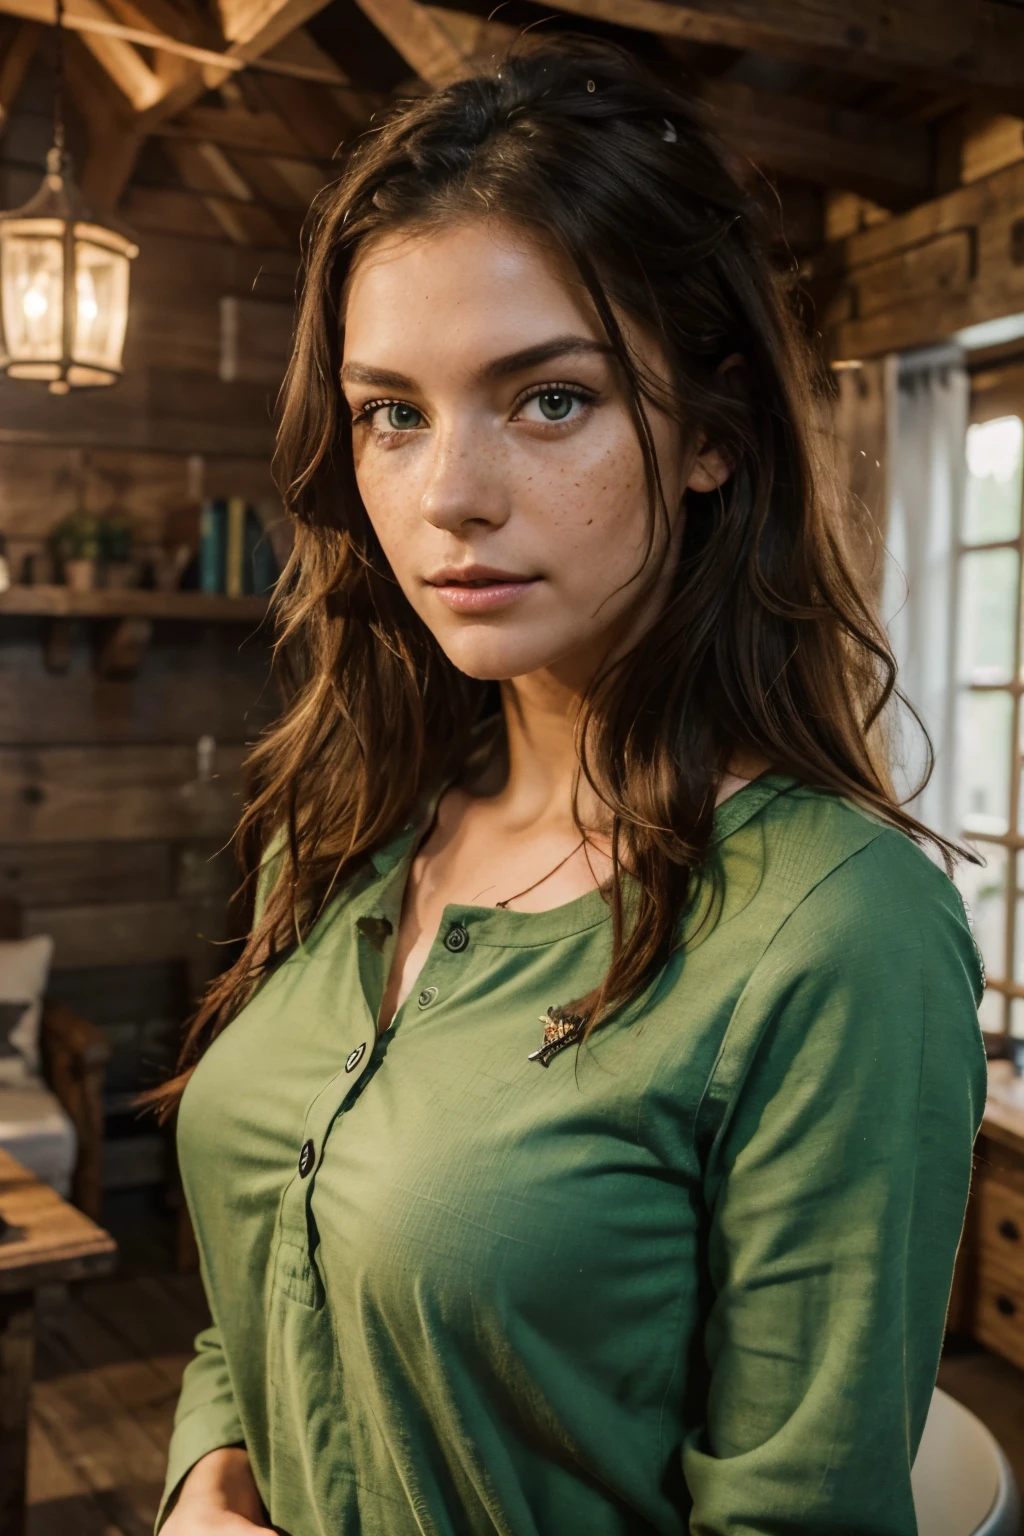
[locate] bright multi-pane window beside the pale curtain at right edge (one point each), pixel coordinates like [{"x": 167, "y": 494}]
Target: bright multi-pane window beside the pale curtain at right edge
[{"x": 991, "y": 724}]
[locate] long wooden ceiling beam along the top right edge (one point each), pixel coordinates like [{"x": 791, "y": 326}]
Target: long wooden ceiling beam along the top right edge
[{"x": 968, "y": 44}]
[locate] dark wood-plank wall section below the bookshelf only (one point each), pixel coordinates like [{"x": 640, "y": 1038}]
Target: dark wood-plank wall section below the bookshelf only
[{"x": 108, "y": 844}]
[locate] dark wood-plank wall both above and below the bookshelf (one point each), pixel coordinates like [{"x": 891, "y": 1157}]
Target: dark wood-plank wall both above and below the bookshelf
[{"x": 101, "y": 838}]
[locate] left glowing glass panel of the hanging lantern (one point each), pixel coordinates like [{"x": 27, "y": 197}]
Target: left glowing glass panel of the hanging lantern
[{"x": 33, "y": 299}]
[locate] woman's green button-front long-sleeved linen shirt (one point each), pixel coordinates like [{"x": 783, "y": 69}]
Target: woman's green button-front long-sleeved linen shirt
[{"x": 692, "y": 1277}]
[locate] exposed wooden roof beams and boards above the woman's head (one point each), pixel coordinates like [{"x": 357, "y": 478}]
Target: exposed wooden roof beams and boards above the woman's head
[{"x": 822, "y": 118}]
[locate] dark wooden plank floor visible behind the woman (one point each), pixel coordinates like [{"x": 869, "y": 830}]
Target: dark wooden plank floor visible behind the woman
[{"x": 111, "y": 1359}]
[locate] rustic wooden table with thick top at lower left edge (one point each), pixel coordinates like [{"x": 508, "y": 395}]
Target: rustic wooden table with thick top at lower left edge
[{"x": 47, "y": 1242}]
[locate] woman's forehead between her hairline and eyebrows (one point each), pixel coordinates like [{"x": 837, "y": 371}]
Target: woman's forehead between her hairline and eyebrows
[{"x": 466, "y": 293}]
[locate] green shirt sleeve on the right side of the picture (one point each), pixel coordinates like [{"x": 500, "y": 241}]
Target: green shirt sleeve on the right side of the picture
[{"x": 839, "y": 1139}]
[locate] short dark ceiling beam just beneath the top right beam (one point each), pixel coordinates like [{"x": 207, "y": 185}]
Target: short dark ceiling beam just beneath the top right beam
[{"x": 888, "y": 162}]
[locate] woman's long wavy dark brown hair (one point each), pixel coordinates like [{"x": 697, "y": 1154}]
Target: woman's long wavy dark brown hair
[{"x": 768, "y": 643}]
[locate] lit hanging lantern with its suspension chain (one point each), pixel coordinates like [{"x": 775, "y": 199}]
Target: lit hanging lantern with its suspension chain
[{"x": 64, "y": 280}]
